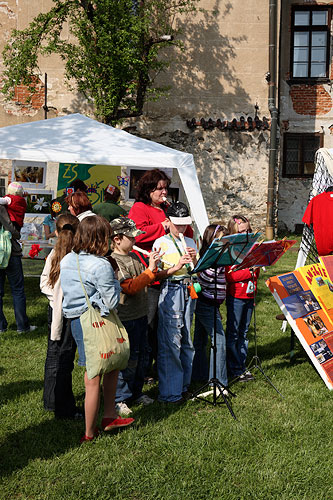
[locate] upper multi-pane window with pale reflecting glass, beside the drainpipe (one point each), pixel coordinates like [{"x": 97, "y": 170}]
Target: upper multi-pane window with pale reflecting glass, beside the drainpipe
[{"x": 310, "y": 38}]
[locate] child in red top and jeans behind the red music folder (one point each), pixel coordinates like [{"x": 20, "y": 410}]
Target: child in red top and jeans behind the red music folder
[{"x": 240, "y": 302}]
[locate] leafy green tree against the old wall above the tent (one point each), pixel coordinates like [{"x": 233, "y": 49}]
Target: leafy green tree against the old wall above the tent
[{"x": 112, "y": 55}]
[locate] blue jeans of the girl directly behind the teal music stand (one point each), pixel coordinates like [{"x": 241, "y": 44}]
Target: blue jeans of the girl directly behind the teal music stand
[{"x": 204, "y": 326}]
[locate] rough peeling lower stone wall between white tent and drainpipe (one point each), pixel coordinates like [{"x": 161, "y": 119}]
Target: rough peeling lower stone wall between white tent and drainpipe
[{"x": 231, "y": 166}]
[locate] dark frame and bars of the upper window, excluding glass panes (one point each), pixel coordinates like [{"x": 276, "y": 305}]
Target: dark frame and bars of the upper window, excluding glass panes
[{"x": 310, "y": 29}]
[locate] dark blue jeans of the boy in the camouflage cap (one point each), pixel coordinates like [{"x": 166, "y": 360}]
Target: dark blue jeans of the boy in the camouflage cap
[{"x": 131, "y": 380}]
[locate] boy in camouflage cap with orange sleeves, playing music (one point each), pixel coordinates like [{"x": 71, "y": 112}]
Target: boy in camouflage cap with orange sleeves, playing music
[{"x": 133, "y": 307}]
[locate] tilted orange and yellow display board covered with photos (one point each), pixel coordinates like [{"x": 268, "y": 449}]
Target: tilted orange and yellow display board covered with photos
[{"x": 305, "y": 297}]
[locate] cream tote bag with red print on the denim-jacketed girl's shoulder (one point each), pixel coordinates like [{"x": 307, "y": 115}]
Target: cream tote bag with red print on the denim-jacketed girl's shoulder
[{"x": 106, "y": 342}]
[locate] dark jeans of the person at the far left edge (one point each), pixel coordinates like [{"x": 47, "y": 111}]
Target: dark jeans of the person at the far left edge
[{"x": 14, "y": 273}]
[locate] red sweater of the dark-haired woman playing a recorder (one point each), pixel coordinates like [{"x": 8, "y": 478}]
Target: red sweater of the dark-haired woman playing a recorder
[{"x": 148, "y": 219}]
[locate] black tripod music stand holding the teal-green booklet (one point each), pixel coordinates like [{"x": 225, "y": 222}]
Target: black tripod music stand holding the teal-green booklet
[{"x": 214, "y": 382}]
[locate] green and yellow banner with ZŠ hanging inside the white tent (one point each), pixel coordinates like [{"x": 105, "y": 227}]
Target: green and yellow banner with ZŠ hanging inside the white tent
[{"x": 97, "y": 177}]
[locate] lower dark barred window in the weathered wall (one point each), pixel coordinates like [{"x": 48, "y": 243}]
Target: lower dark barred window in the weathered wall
[{"x": 299, "y": 154}]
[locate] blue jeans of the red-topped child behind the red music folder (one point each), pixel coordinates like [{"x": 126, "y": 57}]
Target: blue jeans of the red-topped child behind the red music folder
[{"x": 239, "y": 313}]
